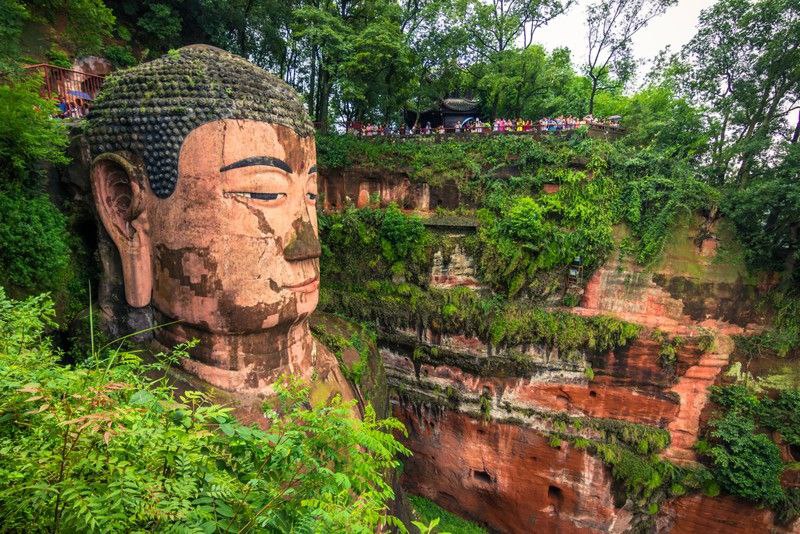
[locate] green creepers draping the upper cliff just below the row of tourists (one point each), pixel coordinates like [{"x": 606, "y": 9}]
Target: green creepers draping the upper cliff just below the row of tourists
[{"x": 523, "y": 231}]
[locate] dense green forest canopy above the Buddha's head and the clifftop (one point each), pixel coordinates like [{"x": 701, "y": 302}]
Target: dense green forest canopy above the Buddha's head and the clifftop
[{"x": 726, "y": 104}]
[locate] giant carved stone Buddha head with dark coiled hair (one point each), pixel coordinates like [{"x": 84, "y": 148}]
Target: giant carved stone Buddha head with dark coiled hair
[{"x": 204, "y": 176}]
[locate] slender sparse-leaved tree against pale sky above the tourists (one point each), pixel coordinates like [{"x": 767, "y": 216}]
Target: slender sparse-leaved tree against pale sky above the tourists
[{"x": 611, "y": 27}]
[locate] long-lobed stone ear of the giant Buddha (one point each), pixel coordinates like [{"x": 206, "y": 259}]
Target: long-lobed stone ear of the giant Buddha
[{"x": 118, "y": 191}]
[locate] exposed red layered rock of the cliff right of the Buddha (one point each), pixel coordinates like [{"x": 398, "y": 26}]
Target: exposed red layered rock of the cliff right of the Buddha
[{"x": 517, "y": 436}]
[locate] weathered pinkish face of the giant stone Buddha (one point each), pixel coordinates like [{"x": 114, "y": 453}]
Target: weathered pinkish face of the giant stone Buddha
[{"x": 234, "y": 248}]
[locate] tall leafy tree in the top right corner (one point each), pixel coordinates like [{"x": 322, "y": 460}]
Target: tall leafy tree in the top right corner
[{"x": 746, "y": 69}]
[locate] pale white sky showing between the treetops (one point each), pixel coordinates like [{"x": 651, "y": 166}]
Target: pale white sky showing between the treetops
[{"x": 675, "y": 27}]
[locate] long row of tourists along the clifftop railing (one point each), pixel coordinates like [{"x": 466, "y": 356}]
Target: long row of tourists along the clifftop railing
[{"x": 546, "y": 124}]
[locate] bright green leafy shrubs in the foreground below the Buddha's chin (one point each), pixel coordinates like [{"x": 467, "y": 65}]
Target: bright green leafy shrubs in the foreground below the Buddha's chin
[{"x": 104, "y": 448}]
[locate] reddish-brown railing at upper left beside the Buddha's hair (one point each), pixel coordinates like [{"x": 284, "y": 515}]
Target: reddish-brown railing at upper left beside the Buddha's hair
[{"x": 74, "y": 90}]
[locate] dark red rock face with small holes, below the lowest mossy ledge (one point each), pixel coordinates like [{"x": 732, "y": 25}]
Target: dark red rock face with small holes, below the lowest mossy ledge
[{"x": 506, "y": 476}]
